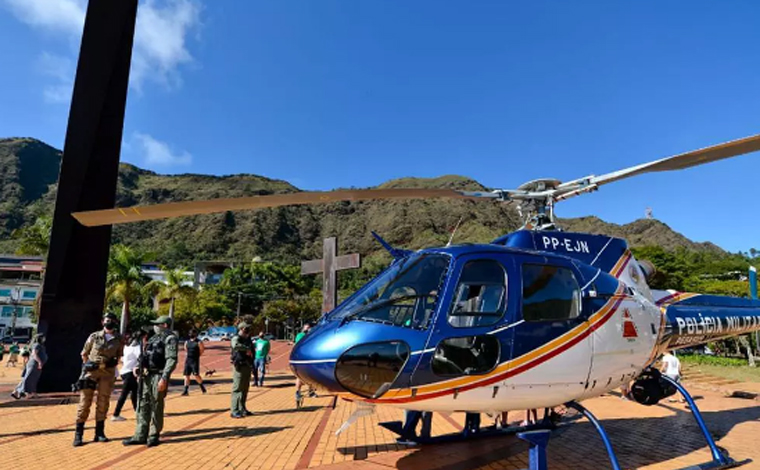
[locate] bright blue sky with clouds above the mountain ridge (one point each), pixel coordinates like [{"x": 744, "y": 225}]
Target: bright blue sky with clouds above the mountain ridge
[{"x": 329, "y": 93}]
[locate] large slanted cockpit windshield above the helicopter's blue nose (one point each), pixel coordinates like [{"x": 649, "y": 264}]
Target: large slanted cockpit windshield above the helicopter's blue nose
[{"x": 405, "y": 294}]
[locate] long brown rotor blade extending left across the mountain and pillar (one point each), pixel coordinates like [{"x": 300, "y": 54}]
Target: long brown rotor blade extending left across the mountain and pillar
[{"x": 178, "y": 209}]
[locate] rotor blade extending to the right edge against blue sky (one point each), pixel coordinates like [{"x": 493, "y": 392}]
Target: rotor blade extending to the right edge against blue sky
[{"x": 685, "y": 160}]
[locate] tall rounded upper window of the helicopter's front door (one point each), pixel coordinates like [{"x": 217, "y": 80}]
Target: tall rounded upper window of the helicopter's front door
[{"x": 481, "y": 294}]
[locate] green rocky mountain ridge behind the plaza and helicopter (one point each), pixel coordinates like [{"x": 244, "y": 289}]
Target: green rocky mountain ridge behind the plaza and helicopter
[{"x": 29, "y": 170}]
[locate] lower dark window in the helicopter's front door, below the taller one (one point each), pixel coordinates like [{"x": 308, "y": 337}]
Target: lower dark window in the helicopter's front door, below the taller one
[{"x": 468, "y": 355}]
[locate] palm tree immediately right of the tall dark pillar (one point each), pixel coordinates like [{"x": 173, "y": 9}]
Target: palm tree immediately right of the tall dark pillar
[{"x": 125, "y": 278}]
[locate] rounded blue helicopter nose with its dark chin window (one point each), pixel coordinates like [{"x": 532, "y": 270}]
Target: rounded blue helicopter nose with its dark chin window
[{"x": 367, "y": 370}]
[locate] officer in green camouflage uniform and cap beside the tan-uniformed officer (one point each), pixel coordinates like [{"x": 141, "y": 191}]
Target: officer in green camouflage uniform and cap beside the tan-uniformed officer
[{"x": 157, "y": 363}]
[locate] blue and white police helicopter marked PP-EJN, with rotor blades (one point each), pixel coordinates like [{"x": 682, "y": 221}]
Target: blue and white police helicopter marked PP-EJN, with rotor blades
[{"x": 535, "y": 319}]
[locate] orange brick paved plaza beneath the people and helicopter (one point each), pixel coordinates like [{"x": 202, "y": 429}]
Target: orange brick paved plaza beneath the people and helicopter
[{"x": 200, "y": 433}]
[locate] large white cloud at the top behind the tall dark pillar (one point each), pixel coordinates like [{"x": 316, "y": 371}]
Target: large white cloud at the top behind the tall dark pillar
[{"x": 160, "y": 46}]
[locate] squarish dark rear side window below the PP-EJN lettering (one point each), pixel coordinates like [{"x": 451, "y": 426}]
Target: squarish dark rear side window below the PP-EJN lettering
[{"x": 550, "y": 293}]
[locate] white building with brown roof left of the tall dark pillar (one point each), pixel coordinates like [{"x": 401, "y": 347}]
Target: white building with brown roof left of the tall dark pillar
[{"x": 20, "y": 284}]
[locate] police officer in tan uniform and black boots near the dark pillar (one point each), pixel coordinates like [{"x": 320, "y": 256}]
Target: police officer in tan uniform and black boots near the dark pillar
[{"x": 100, "y": 357}]
